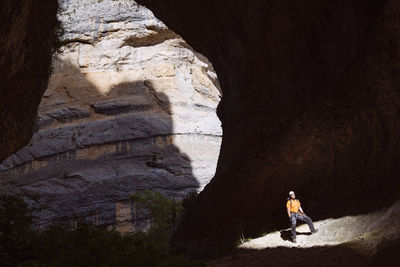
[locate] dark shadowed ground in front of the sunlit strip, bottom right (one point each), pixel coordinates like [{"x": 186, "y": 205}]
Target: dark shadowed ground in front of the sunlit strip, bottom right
[{"x": 338, "y": 255}]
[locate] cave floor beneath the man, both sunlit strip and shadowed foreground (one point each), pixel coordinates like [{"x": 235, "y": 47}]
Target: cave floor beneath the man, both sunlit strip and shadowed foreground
[{"x": 363, "y": 240}]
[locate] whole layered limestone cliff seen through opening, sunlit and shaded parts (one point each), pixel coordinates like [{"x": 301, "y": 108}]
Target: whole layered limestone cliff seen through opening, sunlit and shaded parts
[{"x": 130, "y": 106}]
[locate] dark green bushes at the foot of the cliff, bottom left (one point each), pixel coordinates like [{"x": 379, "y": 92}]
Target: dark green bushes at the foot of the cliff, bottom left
[{"x": 89, "y": 245}]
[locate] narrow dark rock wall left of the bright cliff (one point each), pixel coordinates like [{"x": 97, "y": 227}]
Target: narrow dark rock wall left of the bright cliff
[{"x": 27, "y": 36}]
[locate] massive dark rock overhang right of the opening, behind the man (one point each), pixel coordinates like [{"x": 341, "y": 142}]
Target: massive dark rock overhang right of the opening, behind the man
[{"x": 343, "y": 81}]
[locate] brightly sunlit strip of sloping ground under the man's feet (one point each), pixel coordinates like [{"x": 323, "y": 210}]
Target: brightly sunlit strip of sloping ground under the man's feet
[{"x": 363, "y": 233}]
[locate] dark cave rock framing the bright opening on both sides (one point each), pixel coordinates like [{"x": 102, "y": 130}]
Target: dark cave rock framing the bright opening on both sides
[{"x": 310, "y": 103}]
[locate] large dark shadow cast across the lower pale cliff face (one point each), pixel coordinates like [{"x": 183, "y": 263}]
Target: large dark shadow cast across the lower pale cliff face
[{"x": 94, "y": 149}]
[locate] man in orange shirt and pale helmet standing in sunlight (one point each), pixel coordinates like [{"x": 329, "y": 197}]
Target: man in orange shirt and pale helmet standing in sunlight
[{"x": 295, "y": 212}]
